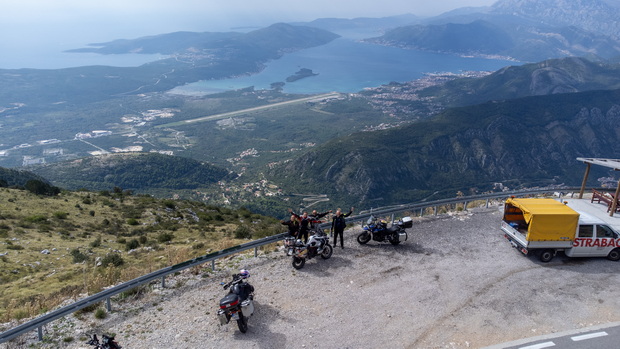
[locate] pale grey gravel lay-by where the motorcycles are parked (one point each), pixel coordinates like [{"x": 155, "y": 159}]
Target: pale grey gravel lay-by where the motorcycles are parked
[{"x": 456, "y": 283}]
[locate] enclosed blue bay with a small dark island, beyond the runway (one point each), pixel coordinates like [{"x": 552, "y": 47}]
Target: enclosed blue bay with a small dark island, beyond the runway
[{"x": 347, "y": 65}]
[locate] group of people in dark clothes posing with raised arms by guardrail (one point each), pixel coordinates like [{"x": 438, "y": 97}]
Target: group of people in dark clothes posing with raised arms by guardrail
[{"x": 300, "y": 225}]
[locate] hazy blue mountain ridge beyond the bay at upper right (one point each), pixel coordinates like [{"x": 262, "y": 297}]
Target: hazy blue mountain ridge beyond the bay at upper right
[{"x": 527, "y": 30}]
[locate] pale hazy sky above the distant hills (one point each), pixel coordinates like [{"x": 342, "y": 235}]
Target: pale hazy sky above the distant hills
[{"x": 30, "y": 25}]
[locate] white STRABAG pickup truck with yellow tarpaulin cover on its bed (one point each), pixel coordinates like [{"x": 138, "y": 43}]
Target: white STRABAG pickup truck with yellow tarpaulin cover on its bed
[{"x": 543, "y": 227}]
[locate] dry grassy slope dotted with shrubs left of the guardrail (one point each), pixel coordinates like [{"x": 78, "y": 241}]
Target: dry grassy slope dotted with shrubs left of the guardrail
[{"x": 97, "y": 226}]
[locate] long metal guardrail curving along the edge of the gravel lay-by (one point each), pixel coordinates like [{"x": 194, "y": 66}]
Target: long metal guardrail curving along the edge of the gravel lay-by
[{"x": 105, "y": 295}]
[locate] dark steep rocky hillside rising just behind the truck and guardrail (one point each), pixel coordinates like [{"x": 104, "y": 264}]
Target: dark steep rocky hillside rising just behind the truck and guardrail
[{"x": 522, "y": 142}]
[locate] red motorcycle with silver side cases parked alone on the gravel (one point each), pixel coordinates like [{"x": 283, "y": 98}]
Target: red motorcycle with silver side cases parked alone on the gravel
[{"x": 238, "y": 304}]
